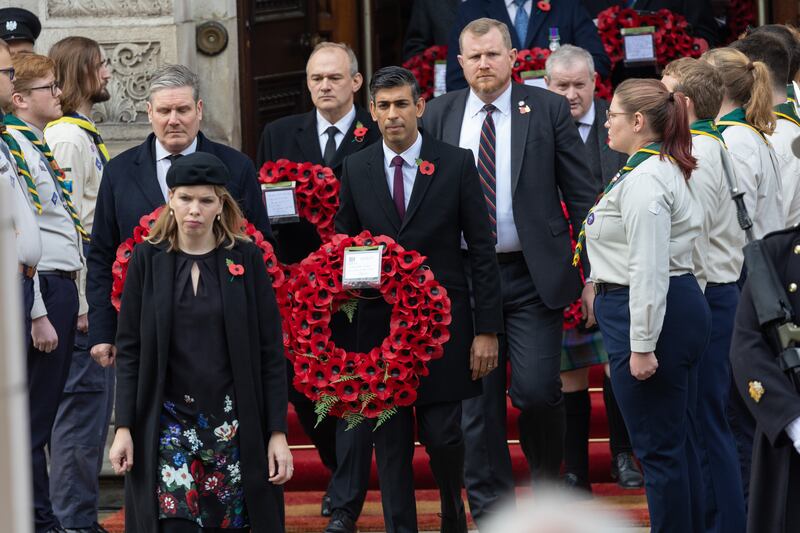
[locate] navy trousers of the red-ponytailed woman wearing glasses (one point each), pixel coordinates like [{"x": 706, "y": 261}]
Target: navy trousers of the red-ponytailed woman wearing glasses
[{"x": 660, "y": 411}]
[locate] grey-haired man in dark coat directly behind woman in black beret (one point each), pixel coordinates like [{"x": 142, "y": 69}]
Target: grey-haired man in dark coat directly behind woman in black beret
[{"x": 134, "y": 184}]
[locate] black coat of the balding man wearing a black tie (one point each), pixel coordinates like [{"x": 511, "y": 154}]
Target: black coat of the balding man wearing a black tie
[{"x": 295, "y": 138}]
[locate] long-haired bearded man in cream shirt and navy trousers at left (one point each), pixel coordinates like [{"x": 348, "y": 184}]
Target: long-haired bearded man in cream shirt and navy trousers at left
[{"x": 79, "y": 432}]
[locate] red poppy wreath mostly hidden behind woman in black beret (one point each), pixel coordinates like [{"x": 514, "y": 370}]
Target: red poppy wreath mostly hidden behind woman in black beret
[{"x": 119, "y": 270}]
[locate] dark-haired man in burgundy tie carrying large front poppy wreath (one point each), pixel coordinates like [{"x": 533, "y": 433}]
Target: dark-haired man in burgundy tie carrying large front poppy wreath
[{"x": 384, "y": 192}]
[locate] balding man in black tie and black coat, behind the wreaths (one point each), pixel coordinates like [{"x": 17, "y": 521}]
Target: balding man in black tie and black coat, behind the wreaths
[{"x": 325, "y": 136}]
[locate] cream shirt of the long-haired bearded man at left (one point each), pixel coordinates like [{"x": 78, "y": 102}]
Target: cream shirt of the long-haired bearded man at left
[{"x": 77, "y": 155}]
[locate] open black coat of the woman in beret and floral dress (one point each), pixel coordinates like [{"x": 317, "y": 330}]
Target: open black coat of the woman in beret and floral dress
[{"x": 253, "y": 332}]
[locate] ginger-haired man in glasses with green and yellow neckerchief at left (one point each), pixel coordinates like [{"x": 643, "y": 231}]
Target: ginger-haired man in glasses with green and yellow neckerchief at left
[{"x": 34, "y": 104}]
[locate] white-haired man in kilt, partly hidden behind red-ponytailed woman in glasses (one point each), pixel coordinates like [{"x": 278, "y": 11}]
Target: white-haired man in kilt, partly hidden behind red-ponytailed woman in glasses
[{"x": 570, "y": 73}]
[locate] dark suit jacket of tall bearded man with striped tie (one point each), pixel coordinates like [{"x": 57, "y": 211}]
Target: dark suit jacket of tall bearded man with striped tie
[{"x": 548, "y": 161}]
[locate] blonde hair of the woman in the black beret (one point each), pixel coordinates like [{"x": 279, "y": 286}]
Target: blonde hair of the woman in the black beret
[{"x": 227, "y": 229}]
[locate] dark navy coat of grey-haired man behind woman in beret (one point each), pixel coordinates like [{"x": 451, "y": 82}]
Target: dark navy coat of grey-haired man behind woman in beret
[{"x": 129, "y": 190}]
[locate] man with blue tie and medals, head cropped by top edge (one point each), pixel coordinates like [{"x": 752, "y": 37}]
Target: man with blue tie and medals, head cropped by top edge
[{"x": 530, "y": 27}]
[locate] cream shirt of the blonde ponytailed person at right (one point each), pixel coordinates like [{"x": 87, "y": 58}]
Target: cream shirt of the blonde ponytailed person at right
[{"x": 758, "y": 171}]
